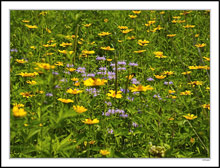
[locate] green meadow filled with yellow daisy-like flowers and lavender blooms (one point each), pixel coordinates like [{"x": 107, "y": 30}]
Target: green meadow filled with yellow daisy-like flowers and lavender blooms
[{"x": 110, "y": 84}]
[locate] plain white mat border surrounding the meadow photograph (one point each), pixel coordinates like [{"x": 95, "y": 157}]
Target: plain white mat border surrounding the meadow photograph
[{"x": 119, "y": 5}]
